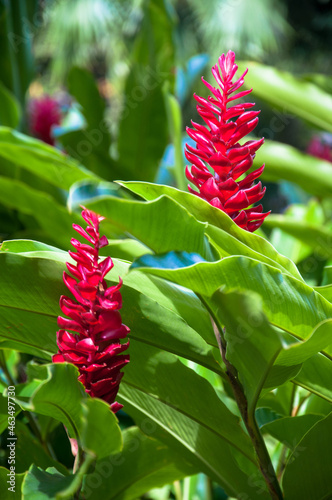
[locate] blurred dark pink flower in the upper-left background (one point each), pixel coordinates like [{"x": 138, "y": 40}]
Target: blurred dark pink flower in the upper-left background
[{"x": 44, "y": 113}]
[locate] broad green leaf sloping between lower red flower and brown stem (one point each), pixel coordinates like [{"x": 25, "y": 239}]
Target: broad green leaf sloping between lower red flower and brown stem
[{"x": 147, "y": 391}]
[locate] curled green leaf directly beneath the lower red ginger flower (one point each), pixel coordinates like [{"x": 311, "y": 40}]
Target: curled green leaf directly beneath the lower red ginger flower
[{"x": 61, "y": 396}]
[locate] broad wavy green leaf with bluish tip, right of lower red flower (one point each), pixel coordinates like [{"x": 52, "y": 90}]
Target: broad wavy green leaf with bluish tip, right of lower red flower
[{"x": 288, "y": 303}]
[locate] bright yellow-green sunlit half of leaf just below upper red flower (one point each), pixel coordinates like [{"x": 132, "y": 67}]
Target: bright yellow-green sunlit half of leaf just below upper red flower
[{"x": 221, "y": 230}]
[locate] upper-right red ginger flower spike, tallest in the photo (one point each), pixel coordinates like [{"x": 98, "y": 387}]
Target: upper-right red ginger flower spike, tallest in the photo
[{"x": 219, "y": 148}]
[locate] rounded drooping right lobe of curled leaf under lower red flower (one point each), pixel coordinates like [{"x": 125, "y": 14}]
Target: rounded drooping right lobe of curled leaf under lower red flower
[{"x": 101, "y": 434}]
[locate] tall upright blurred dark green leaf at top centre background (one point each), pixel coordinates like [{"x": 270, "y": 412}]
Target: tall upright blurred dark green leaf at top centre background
[{"x": 143, "y": 132}]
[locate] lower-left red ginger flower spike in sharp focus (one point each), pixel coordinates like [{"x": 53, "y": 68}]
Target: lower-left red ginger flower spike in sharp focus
[{"x": 95, "y": 347}]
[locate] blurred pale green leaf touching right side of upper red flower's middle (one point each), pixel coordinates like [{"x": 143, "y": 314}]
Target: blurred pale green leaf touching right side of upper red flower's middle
[{"x": 286, "y": 162}]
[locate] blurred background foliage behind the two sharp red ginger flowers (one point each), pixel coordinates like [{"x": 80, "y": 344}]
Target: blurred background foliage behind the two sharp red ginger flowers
[{"x": 98, "y": 90}]
